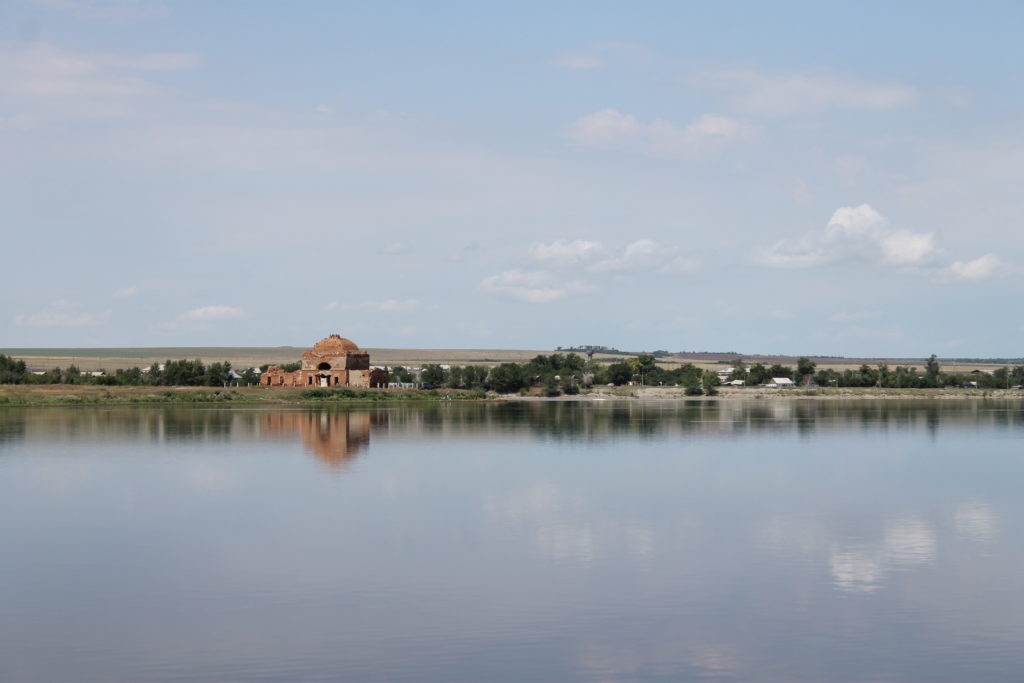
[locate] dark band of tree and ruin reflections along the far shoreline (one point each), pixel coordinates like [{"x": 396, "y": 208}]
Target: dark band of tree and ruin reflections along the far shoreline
[{"x": 333, "y": 432}]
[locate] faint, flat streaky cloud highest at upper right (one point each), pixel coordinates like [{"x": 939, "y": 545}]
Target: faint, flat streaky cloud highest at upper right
[{"x": 806, "y": 93}]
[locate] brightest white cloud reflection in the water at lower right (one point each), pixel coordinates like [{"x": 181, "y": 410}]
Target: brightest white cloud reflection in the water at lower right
[{"x": 907, "y": 543}]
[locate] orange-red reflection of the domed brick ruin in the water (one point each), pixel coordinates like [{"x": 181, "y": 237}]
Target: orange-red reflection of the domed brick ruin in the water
[{"x": 333, "y": 437}]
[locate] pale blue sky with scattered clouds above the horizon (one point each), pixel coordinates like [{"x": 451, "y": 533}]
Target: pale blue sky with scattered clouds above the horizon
[{"x": 800, "y": 178}]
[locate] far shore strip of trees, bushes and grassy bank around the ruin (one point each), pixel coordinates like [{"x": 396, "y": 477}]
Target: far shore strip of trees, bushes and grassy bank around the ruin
[{"x": 544, "y": 376}]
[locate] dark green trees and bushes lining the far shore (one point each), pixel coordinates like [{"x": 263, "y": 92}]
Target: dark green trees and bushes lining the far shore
[{"x": 554, "y": 375}]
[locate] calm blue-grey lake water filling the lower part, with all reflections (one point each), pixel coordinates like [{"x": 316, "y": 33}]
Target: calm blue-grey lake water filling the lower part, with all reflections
[{"x": 641, "y": 541}]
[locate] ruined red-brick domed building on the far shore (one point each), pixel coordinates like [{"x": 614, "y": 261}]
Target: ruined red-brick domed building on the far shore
[{"x": 332, "y": 362}]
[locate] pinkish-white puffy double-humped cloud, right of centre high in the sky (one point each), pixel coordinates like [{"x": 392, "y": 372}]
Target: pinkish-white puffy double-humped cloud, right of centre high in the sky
[{"x": 611, "y": 130}]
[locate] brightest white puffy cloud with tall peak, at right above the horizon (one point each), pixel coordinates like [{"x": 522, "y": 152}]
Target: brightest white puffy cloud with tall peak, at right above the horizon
[{"x": 854, "y": 235}]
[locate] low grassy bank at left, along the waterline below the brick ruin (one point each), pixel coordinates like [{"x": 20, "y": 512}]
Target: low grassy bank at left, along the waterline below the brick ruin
[{"x": 63, "y": 395}]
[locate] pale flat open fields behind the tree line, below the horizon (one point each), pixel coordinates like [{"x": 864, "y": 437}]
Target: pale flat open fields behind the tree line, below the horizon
[{"x": 248, "y": 357}]
